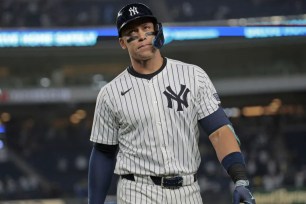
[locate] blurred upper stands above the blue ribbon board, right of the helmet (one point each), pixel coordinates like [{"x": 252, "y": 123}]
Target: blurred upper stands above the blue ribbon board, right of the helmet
[{"x": 233, "y": 9}]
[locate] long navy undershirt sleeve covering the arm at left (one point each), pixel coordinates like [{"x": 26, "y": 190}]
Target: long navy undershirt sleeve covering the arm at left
[{"x": 101, "y": 169}]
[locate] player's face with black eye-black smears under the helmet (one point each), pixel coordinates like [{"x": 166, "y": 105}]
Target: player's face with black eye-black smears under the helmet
[{"x": 137, "y": 39}]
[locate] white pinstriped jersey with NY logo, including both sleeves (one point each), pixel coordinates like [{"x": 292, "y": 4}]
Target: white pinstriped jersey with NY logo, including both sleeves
[{"x": 155, "y": 121}]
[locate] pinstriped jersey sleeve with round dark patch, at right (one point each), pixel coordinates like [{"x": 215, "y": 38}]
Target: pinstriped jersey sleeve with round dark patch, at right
[{"x": 207, "y": 98}]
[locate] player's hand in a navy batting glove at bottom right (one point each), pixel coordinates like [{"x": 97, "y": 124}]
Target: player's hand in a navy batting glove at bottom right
[{"x": 242, "y": 194}]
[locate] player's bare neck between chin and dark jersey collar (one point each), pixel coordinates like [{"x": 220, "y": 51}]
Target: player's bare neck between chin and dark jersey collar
[{"x": 148, "y": 66}]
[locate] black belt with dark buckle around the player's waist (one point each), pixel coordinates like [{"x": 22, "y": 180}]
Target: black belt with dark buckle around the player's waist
[{"x": 170, "y": 182}]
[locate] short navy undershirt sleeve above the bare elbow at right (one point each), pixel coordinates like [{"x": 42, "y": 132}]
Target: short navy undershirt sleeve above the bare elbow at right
[{"x": 214, "y": 121}]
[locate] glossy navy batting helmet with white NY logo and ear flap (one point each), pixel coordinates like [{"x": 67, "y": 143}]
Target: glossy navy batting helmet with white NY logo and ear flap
[{"x": 135, "y": 11}]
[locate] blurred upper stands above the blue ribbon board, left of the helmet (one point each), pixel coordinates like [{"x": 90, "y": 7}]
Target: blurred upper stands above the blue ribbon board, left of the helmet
[{"x": 56, "y": 13}]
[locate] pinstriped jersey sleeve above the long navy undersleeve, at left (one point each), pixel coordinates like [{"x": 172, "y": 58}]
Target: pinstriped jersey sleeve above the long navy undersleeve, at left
[{"x": 105, "y": 126}]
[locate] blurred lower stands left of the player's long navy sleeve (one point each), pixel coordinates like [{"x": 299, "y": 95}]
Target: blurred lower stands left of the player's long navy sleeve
[{"x": 50, "y": 151}]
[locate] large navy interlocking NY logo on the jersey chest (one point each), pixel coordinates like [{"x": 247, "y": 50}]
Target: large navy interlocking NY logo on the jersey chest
[{"x": 180, "y": 98}]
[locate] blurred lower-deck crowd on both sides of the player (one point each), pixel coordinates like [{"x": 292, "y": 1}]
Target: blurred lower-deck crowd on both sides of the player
[{"x": 57, "y": 152}]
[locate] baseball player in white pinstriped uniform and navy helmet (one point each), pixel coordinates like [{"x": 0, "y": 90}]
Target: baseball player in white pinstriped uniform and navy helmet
[{"x": 146, "y": 120}]
